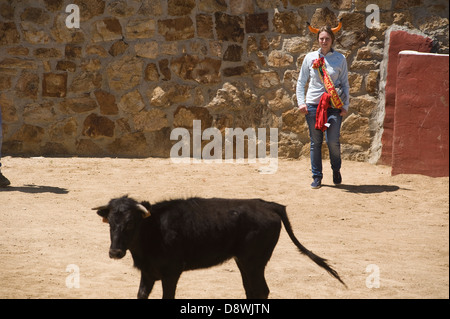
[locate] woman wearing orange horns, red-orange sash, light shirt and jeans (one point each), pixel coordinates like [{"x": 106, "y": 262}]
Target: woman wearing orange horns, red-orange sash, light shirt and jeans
[{"x": 326, "y": 101}]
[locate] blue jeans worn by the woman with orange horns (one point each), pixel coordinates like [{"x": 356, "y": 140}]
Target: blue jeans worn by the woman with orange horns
[{"x": 332, "y": 135}]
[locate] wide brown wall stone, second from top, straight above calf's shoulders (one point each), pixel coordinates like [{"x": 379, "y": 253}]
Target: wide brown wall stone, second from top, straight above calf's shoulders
[{"x": 176, "y": 29}]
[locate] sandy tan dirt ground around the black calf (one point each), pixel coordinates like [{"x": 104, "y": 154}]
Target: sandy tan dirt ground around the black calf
[{"x": 387, "y": 236}]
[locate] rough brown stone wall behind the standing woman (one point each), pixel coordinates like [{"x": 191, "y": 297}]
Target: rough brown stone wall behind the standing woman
[{"x": 135, "y": 70}]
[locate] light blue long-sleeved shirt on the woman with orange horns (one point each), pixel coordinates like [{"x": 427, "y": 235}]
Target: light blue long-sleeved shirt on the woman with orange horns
[{"x": 336, "y": 65}]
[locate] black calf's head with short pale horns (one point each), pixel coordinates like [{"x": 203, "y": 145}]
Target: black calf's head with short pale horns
[{"x": 124, "y": 216}]
